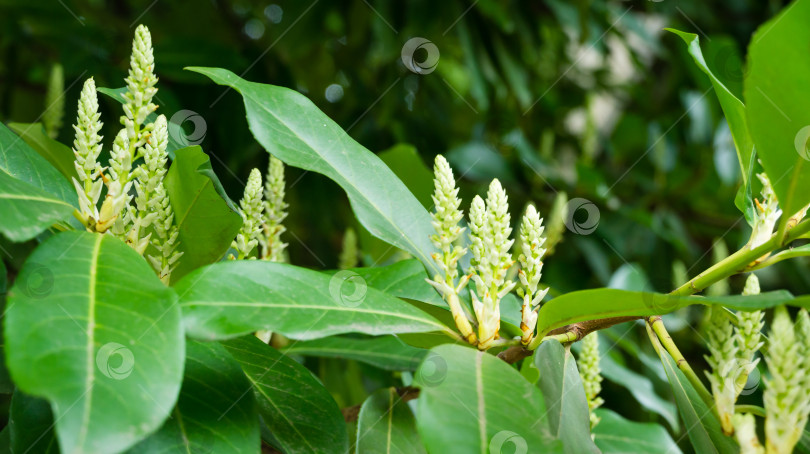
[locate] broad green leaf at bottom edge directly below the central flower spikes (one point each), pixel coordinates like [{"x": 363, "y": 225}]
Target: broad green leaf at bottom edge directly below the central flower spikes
[{"x": 473, "y": 402}]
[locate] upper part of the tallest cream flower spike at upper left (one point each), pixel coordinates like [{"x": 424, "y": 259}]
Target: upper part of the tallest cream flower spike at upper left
[{"x": 140, "y": 86}]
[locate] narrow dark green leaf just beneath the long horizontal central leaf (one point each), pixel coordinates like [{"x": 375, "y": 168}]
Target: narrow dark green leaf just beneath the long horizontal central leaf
[{"x": 385, "y": 352}]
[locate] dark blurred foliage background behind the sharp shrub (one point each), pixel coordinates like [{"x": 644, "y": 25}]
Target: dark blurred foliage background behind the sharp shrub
[{"x": 590, "y": 98}]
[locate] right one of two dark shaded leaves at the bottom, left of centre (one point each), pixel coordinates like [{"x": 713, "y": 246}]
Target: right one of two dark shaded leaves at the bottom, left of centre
[{"x": 297, "y": 409}]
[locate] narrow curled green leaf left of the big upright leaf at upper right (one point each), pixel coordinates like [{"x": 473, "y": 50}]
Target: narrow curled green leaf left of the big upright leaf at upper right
[{"x": 732, "y": 107}]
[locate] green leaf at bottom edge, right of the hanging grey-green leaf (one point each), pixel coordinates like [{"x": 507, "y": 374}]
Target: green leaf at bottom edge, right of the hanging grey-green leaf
[{"x": 616, "y": 435}]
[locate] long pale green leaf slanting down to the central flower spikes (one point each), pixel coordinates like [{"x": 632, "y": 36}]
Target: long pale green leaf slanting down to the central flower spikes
[{"x": 291, "y": 128}]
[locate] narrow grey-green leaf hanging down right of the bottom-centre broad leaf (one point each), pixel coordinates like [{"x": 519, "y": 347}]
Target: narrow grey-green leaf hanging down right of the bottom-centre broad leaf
[{"x": 565, "y": 398}]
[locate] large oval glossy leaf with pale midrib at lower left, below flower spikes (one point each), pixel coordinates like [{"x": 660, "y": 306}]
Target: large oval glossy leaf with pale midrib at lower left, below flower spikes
[{"x": 90, "y": 328}]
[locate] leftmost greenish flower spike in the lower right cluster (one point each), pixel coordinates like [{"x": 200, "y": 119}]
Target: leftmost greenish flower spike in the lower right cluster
[{"x": 723, "y": 363}]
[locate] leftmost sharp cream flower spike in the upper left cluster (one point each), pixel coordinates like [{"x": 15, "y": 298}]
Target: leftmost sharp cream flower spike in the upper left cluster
[{"x": 86, "y": 148}]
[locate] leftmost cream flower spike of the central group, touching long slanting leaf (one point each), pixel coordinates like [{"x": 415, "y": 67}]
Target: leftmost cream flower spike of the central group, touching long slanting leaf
[{"x": 445, "y": 222}]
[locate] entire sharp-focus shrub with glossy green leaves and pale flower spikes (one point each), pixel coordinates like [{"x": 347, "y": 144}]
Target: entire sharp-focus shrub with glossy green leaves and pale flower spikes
[{"x": 153, "y": 314}]
